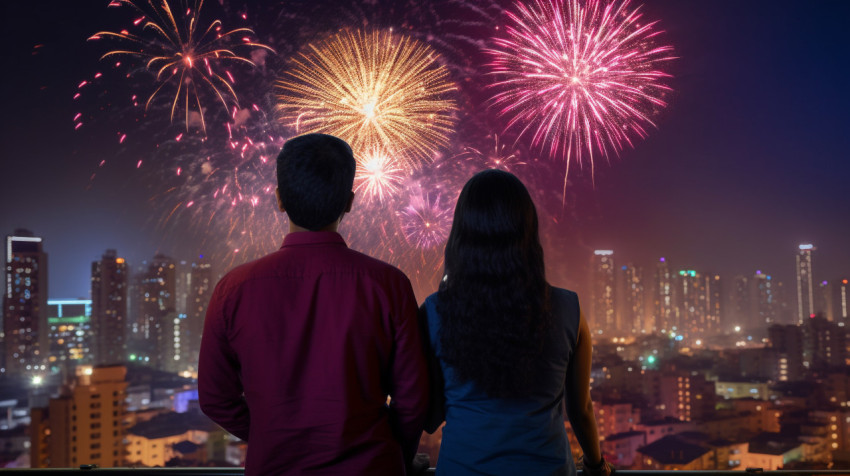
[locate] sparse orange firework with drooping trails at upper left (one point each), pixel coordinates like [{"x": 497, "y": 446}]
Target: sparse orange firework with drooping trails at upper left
[{"x": 183, "y": 54}]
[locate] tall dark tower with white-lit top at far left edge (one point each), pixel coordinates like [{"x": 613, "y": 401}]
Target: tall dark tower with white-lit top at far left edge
[{"x": 25, "y": 305}]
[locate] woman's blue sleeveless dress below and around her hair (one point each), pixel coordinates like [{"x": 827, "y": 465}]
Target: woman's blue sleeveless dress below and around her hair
[{"x": 496, "y": 436}]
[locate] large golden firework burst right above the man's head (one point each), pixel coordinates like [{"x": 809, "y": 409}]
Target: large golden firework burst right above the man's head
[{"x": 372, "y": 89}]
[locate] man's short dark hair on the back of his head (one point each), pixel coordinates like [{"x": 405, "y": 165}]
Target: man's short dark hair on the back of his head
[{"x": 315, "y": 175}]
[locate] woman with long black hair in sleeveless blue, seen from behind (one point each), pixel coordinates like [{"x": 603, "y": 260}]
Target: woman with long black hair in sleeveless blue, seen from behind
[{"x": 507, "y": 349}]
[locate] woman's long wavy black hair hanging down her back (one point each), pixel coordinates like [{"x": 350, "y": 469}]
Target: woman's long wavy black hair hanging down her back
[{"x": 494, "y": 299}]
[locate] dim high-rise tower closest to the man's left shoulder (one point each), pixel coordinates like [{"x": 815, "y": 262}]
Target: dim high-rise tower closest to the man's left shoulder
[{"x": 200, "y": 290}]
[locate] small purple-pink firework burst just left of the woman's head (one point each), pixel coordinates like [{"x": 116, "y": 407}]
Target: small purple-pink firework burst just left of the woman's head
[{"x": 425, "y": 222}]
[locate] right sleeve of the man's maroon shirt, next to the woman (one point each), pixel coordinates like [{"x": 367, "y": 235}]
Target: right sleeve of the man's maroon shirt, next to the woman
[{"x": 409, "y": 386}]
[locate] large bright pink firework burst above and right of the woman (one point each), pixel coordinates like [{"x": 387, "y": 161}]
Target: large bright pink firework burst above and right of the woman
[{"x": 579, "y": 76}]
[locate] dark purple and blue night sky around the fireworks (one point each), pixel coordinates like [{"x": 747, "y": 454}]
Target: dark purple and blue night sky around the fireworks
[{"x": 749, "y": 159}]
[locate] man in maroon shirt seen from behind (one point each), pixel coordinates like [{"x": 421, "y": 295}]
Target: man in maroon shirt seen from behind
[{"x": 302, "y": 347}]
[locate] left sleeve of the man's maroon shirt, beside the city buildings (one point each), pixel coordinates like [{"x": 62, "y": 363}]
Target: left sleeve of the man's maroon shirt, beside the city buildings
[{"x": 220, "y": 391}]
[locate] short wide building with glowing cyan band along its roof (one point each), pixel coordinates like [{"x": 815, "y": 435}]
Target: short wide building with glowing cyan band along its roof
[{"x": 70, "y": 332}]
